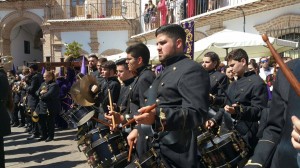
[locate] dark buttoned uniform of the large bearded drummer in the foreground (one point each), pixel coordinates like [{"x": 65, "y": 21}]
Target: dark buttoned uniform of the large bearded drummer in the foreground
[{"x": 182, "y": 97}]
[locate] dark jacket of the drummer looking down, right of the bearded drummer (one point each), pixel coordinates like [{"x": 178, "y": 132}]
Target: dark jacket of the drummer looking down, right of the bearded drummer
[{"x": 250, "y": 92}]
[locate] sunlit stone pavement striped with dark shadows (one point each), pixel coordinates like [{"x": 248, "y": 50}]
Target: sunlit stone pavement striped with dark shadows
[{"x": 60, "y": 153}]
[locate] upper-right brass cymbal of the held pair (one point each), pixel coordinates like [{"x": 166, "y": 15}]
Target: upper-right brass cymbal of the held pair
[{"x": 85, "y": 87}]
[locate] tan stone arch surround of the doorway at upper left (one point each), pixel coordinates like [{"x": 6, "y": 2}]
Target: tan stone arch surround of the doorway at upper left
[{"x": 9, "y": 22}]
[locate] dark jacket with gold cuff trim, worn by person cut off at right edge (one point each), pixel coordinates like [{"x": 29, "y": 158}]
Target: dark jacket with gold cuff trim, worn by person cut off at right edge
[{"x": 285, "y": 103}]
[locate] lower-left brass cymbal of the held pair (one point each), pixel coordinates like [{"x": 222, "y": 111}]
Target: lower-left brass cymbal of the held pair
[{"x": 77, "y": 96}]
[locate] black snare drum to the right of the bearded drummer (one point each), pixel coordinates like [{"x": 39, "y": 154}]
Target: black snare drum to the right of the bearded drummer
[{"x": 224, "y": 151}]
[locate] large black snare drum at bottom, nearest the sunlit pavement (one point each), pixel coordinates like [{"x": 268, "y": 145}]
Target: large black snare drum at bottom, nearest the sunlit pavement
[{"x": 110, "y": 150}]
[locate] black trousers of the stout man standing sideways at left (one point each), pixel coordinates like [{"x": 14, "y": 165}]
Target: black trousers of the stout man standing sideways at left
[{"x": 46, "y": 123}]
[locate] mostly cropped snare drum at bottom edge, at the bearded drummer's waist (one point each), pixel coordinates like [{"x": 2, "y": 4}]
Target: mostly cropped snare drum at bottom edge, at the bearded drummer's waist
[{"x": 148, "y": 160}]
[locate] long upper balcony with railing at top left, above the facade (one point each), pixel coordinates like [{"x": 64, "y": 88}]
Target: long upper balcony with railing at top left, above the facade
[{"x": 113, "y": 10}]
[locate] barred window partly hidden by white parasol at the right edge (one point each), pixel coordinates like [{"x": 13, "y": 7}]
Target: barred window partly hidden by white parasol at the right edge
[{"x": 292, "y": 34}]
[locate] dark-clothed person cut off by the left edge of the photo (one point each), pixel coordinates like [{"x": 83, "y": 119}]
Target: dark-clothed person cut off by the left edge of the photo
[{"x": 6, "y": 106}]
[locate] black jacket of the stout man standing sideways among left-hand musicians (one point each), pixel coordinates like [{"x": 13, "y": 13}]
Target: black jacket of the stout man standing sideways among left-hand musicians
[{"x": 50, "y": 100}]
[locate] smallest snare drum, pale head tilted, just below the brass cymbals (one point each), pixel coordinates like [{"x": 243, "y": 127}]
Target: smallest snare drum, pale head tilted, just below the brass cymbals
[{"x": 81, "y": 115}]
